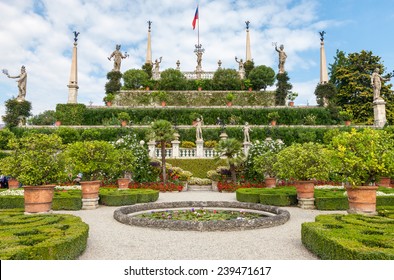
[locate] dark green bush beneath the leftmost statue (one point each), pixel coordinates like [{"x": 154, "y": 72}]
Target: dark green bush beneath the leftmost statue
[{"x": 16, "y": 112}]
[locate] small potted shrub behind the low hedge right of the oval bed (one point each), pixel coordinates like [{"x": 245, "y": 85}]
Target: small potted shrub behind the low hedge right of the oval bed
[{"x": 263, "y": 164}]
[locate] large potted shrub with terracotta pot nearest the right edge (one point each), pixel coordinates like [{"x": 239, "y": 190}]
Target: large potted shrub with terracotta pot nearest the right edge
[{"x": 363, "y": 157}]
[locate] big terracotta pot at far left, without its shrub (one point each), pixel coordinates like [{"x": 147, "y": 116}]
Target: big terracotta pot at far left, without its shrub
[{"x": 38, "y": 199}]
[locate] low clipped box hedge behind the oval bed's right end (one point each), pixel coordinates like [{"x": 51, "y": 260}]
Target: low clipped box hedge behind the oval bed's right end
[{"x": 281, "y": 196}]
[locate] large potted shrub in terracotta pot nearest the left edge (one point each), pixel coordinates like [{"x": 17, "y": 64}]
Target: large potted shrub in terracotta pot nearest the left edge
[{"x": 36, "y": 163}]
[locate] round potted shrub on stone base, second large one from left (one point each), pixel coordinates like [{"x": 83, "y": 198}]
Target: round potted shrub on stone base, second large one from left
[{"x": 96, "y": 161}]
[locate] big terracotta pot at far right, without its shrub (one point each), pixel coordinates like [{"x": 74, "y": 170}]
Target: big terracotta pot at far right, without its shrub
[{"x": 362, "y": 200}]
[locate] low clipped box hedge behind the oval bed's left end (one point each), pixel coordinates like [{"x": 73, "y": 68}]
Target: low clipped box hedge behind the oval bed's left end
[{"x": 116, "y": 197}]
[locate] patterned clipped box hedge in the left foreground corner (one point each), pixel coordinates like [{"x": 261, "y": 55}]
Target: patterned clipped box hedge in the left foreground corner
[{"x": 41, "y": 237}]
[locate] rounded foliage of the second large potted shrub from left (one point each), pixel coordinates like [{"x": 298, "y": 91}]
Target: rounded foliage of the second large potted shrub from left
[{"x": 94, "y": 159}]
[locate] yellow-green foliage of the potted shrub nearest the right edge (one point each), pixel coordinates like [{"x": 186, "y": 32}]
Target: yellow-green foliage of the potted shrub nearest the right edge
[{"x": 360, "y": 155}]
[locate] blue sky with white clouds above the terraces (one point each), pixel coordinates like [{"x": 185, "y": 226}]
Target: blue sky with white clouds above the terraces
[{"x": 39, "y": 35}]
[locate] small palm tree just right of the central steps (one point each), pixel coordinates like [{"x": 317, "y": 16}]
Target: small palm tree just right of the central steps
[{"x": 231, "y": 150}]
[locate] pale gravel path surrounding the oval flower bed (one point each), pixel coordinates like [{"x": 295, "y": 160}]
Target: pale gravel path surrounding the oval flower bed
[{"x": 111, "y": 240}]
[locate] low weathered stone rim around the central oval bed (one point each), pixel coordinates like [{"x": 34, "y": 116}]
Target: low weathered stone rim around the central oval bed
[{"x": 270, "y": 216}]
